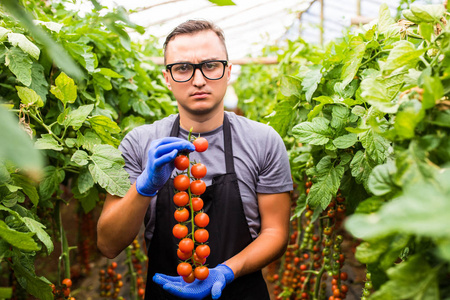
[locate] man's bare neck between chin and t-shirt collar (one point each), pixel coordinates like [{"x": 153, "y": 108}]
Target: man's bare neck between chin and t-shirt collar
[{"x": 201, "y": 124}]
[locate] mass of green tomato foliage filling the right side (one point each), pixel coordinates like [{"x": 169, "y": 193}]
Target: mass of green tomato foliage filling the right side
[{"x": 368, "y": 116}]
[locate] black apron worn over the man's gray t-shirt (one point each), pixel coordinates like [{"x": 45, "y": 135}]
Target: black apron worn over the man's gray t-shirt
[{"x": 228, "y": 232}]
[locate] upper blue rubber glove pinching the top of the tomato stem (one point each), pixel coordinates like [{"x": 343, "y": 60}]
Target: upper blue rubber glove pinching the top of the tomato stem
[{"x": 160, "y": 165}]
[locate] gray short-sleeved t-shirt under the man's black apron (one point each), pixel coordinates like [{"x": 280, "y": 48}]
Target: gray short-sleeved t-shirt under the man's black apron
[{"x": 260, "y": 160}]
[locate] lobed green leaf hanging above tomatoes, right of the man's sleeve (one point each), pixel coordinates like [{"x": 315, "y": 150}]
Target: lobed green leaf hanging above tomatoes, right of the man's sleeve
[{"x": 328, "y": 181}]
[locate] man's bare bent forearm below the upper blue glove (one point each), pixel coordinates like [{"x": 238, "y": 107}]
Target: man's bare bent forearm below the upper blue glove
[{"x": 120, "y": 221}]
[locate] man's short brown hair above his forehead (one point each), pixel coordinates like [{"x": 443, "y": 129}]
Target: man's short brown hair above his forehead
[{"x": 194, "y": 26}]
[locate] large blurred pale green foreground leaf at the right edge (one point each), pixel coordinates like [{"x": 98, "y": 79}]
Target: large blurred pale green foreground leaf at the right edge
[{"x": 414, "y": 212}]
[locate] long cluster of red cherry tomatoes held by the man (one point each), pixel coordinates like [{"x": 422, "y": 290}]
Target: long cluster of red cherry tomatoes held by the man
[{"x": 190, "y": 205}]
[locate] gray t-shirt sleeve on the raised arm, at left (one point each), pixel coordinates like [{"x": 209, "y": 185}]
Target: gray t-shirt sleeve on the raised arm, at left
[{"x": 131, "y": 152}]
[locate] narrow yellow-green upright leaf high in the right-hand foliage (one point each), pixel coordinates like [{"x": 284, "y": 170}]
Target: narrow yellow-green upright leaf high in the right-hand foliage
[{"x": 353, "y": 61}]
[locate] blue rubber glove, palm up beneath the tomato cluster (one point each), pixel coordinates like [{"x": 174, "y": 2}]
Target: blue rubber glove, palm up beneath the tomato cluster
[{"x": 218, "y": 278}]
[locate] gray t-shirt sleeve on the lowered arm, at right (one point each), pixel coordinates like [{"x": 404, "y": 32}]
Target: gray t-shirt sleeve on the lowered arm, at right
[{"x": 275, "y": 175}]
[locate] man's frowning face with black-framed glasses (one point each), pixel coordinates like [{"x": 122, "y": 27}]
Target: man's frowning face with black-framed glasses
[{"x": 198, "y": 96}]
